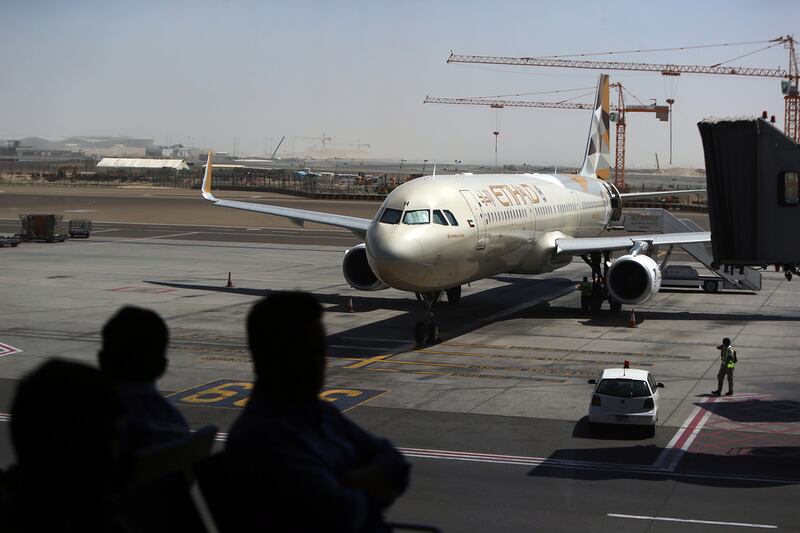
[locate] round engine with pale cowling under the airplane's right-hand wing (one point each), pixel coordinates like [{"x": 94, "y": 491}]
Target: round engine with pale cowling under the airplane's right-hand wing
[{"x": 633, "y": 279}]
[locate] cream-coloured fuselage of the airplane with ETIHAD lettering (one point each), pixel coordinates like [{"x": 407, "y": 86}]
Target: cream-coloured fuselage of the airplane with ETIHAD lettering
[{"x": 505, "y": 223}]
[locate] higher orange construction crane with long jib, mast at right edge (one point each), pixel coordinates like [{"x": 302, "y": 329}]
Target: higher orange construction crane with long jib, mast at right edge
[{"x": 789, "y": 86}]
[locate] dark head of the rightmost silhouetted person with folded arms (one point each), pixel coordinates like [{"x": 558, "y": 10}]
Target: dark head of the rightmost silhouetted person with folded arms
[{"x": 287, "y": 341}]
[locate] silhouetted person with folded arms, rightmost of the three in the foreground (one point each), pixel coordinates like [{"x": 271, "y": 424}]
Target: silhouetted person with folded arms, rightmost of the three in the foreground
[{"x": 310, "y": 468}]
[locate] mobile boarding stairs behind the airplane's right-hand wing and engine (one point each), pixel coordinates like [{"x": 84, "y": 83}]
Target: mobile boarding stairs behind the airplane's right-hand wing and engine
[{"x": 657, "y": 220}]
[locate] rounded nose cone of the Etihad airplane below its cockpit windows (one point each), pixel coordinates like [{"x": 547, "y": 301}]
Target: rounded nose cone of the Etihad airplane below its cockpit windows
[{"x": 398, "y": 259}]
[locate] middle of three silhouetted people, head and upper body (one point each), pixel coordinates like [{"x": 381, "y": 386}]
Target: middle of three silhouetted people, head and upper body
[{"x": 132, "y": 358}]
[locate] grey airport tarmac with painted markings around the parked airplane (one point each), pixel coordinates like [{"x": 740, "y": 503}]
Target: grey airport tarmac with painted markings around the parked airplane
[{"x": 493, "y": 418}]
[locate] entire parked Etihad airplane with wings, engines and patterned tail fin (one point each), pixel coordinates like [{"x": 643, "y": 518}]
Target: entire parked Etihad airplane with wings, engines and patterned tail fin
[{"x": 436, "y": 233}]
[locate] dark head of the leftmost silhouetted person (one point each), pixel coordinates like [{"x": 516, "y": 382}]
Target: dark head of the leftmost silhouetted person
[{"x": 67, "y": 426}]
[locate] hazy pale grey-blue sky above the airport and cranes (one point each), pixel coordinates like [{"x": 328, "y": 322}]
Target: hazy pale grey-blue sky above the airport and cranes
[{"x": 359, "y": 70}]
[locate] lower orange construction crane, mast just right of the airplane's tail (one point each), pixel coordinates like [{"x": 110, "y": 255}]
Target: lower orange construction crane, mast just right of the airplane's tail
[{"x": 618, "y": 112}]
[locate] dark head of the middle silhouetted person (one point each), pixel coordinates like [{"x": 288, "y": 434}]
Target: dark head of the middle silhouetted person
[{"x": 134, "y": 346}]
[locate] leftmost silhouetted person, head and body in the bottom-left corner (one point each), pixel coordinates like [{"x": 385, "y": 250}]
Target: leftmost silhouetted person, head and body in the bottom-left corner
[{"x": 67, "y": 430}]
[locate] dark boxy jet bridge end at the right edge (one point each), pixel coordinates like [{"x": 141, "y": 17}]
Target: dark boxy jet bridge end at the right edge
[{"x": 753, "y": 179}]
